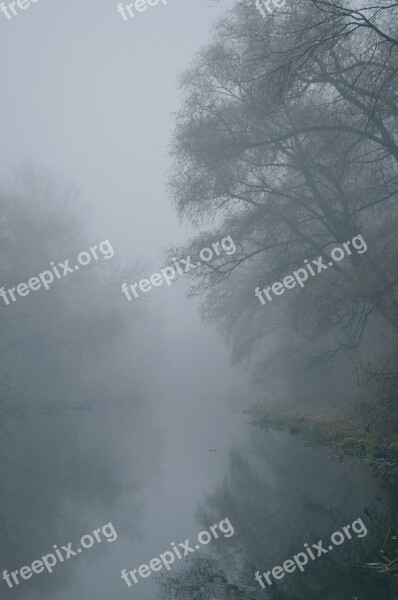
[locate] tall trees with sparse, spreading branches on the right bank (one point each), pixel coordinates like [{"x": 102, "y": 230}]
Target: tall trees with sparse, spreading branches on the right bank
[{"x": 287, "y": 140}]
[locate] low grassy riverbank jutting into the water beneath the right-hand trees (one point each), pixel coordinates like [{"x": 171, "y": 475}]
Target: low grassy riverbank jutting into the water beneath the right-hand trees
[{"x": 339, "y": 432}]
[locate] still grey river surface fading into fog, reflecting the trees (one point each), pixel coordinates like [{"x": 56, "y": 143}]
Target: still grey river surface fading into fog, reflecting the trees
[{"x": 165, "y": 474}]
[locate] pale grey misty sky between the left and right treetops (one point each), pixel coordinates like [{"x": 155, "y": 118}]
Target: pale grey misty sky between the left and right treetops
[{"x": 92, "y": 97}]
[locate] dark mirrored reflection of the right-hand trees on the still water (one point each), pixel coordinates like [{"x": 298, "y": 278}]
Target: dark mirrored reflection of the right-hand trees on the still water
[{"x": 278, "y": 495}]
